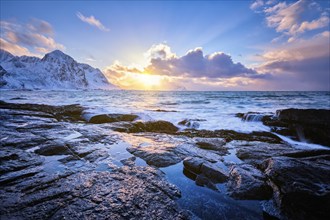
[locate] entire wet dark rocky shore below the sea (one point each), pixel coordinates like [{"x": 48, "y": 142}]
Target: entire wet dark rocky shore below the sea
[{"x": 56, "y": 164}]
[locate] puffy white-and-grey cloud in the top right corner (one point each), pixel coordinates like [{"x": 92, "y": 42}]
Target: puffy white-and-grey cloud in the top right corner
[{"x": 294, "y": 19}]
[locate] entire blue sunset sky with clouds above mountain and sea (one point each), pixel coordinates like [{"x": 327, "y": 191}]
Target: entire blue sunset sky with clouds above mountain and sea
[{"x": 181, "y": 45}]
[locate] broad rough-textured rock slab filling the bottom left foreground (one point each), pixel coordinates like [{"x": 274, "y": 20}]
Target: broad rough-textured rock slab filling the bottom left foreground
[{"x": 125, "y": 193}]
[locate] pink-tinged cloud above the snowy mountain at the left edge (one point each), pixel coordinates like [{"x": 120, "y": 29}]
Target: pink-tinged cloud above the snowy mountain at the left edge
[{"x": 33, "y": 38}]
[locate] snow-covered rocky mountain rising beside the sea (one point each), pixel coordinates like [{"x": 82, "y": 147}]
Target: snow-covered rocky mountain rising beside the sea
[{"x": 55, "y": 70}]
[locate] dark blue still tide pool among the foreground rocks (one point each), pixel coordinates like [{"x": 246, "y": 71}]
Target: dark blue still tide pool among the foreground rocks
[{"x": 206, "y": 203}]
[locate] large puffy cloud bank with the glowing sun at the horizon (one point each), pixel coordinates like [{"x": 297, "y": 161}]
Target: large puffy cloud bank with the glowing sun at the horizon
[{"x": 167, "y": 71}]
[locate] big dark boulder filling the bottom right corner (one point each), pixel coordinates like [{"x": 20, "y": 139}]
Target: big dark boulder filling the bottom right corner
[{"x": 301, "y": 186}]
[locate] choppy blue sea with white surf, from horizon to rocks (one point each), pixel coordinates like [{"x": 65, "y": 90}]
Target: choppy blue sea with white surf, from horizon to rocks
[{"x": 211, "y": 110}]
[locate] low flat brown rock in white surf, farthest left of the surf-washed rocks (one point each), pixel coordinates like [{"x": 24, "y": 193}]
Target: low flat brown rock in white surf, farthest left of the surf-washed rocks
[{"x": 109, "y": 118}]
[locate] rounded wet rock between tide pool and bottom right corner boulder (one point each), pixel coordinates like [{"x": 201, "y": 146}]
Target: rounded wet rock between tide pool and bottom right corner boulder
[{"x": 247, "y": 182}]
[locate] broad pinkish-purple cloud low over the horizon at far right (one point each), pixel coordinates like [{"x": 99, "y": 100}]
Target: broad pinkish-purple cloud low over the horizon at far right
[{"x": 303, "y": 64}]
